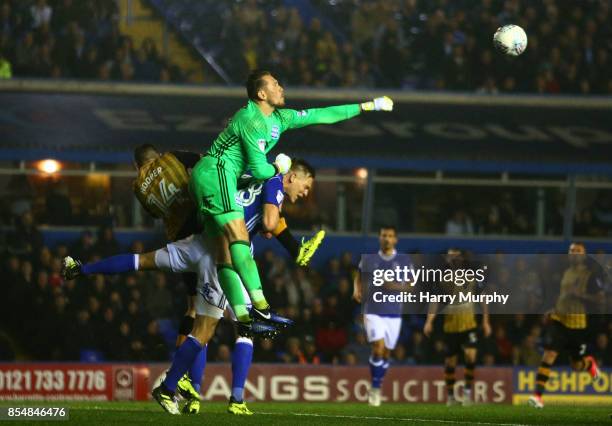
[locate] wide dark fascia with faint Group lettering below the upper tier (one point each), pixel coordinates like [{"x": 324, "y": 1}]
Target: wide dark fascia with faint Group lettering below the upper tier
[{"x": 427, "y": 131}]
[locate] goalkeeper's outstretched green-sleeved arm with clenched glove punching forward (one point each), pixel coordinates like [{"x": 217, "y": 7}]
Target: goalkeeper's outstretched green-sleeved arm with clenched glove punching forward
[{"x": 293, "y": 119}]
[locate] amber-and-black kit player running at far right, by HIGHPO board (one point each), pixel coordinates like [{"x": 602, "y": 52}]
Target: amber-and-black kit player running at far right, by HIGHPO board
[{"x": 580, "y": 284}]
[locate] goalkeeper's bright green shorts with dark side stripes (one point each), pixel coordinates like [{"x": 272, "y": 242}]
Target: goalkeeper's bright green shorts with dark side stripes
[{"x": 213, "y": 188}]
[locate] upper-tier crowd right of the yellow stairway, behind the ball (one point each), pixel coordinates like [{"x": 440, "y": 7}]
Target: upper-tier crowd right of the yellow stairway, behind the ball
[{"x": 412, "y": 44}]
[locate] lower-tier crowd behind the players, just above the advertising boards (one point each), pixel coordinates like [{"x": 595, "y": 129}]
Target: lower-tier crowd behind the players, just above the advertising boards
[{"x": 134, "y": 317}]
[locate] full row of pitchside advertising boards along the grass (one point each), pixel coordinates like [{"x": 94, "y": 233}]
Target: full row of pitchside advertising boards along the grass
[{"x": 286, "y": 383}]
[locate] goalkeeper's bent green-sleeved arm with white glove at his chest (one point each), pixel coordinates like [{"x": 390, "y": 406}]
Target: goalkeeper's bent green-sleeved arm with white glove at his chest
[{"x": 251, "y": 134}]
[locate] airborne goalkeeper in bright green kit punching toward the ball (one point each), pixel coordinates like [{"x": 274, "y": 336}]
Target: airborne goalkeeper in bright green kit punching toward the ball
[{"x": 242, "y": 145}]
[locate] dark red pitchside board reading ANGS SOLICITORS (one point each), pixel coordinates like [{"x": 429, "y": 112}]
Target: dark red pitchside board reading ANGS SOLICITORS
[{"x": 282, "y": 382}]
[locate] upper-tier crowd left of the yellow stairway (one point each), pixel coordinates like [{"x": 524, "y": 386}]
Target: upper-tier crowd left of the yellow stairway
[{"x": 75, "y": 39}]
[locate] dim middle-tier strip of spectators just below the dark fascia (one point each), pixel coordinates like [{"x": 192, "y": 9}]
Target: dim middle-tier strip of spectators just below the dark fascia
[{"x": 61, "y": 201}]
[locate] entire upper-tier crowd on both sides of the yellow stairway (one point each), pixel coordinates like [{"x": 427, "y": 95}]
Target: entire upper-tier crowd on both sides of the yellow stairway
[{"x": 410, "y": 44}]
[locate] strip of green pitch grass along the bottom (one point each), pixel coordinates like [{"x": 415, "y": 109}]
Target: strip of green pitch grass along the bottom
[{"x": 105, "y": 413}]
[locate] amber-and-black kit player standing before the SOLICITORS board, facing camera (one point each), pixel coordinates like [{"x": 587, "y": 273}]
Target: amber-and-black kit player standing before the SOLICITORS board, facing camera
[{"x": 460, "y": 331}]
